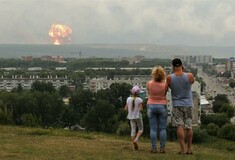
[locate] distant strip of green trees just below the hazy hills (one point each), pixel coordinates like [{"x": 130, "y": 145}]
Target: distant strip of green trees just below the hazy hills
[{"x": 76, "y": 64}]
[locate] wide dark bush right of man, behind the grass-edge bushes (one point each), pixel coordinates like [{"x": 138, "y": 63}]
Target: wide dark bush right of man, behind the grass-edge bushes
[{"x": 218, "y": 118}]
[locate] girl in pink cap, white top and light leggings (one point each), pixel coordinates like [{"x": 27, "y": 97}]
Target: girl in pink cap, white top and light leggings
[{"x": 134, "y": 106}]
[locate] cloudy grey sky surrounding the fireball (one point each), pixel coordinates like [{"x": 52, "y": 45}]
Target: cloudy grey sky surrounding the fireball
[{"x": 163, "y": 22}]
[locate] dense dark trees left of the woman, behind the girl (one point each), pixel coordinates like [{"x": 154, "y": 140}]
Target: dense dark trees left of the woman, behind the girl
[{"x": 43, "y": 106}]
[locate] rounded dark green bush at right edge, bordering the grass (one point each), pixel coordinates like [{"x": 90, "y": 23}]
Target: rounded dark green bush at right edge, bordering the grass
[{"x": 227, "y": 132}]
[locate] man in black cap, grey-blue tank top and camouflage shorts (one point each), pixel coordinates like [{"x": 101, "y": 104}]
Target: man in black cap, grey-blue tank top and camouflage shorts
[{"x": 180, "y": 84}]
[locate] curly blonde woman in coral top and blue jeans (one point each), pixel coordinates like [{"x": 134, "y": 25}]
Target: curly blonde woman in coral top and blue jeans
[{"x": 157, "y": 110}]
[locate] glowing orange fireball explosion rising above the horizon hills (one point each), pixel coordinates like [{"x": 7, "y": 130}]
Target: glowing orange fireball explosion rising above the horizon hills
[{"x": 60, "y": 34}]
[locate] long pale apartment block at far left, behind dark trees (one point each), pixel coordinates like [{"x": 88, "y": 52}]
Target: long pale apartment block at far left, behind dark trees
[{"x": 10, "y": 83}]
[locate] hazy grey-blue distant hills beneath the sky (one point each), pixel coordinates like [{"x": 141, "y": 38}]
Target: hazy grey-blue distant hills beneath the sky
[{"x": 112, "y": 50}]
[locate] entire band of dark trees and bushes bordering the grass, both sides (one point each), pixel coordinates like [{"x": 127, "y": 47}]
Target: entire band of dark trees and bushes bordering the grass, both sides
[{"x": 43, "y": 106}]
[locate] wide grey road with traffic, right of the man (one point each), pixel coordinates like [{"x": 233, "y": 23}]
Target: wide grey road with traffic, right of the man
[{"x": 214, "y": 87}]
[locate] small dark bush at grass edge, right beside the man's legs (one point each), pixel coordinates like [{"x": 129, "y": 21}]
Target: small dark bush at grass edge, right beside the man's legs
[{"x": 199, "y": 135}]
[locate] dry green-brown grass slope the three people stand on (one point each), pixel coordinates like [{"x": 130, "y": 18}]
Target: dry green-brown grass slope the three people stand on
[{"x": 50, "y": 144}]
